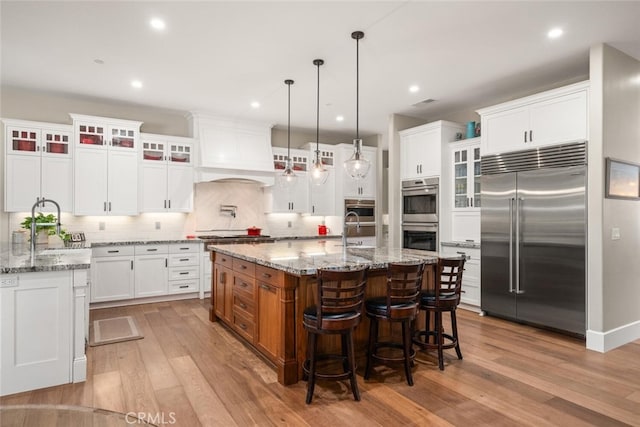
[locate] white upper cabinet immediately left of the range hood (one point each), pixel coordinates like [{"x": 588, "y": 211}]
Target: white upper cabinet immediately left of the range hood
[{"x": 166, "y": 174}]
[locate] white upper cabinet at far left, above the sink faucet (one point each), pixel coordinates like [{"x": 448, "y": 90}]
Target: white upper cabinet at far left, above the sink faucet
[{"x": 38, "y": 165}]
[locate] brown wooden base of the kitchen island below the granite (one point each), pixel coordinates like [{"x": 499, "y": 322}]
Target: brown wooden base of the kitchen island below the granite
[{"x": 264, "y": 306}]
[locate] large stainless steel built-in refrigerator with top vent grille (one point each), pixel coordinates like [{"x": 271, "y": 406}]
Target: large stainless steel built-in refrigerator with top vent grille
[{"x": 533, "y": 235}]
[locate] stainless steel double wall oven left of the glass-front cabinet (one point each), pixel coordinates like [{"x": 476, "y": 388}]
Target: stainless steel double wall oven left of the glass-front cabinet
[{"x": 420, "y": 214}]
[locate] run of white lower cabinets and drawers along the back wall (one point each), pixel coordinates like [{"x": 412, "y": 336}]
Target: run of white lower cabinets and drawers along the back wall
[{"x": 142, "y": 271}]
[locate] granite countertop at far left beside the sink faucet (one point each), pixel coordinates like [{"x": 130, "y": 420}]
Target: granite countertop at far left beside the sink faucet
[{"x": 17, "y": 259}]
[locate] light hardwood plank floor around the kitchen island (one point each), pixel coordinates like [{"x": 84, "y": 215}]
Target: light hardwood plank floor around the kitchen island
[{"x": 198, "y": 374}]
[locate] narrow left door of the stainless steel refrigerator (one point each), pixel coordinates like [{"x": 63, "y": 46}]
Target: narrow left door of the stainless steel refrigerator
[{"x": 497, "y": 229}]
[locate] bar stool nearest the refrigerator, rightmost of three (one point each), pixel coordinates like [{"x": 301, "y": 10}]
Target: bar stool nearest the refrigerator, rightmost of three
[{"x": 444, "y": 298}]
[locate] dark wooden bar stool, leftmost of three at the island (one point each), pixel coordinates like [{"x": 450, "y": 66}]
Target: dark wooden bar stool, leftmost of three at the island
[{"x": 338, "y": 310}]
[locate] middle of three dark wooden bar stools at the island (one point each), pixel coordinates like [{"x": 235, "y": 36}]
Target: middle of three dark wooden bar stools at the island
[{"x": 399, "y": 305}]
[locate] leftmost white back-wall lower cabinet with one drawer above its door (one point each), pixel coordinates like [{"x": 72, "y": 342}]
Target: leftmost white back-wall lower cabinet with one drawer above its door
[{"x": 112, "y": 273}]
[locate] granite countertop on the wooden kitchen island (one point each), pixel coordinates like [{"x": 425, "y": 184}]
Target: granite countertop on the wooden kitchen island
[{"x": 304, "y": 257}]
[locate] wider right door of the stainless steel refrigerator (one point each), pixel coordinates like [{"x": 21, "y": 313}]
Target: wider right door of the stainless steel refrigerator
[{"x": 551, "y": 211}]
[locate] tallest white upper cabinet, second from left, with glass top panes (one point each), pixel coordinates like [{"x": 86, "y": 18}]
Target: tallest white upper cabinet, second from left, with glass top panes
[{"x": 105, "y": 166}]
